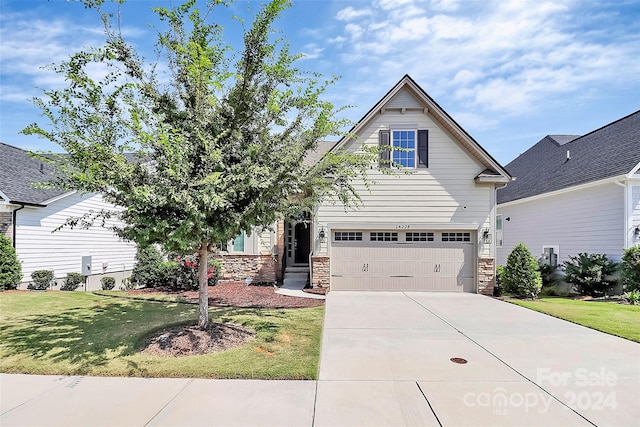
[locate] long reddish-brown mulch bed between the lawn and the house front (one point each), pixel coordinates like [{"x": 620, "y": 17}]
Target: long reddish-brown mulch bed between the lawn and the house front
[{"x": 238, "y": 294}]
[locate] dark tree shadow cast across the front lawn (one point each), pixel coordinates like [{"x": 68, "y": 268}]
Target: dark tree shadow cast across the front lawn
[{"x": 83, "y": 338}]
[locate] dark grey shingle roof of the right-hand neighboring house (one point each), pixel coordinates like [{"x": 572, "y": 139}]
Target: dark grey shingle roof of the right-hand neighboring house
[{"x": 612, "y": 150}]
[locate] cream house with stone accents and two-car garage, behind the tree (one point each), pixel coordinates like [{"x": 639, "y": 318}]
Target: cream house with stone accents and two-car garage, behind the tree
[{"x": 429, "y": 226}]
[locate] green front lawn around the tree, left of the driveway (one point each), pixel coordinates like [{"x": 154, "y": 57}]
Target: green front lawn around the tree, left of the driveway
[{"x": 77, "y": 333}]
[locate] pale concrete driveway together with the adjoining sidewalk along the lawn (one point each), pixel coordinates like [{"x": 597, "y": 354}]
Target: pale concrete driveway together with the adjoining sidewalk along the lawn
[{"x": 386, "y": 361}]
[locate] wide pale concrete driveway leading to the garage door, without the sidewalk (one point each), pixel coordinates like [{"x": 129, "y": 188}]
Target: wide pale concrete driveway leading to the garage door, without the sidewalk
[{"x": 386, "y": 360}]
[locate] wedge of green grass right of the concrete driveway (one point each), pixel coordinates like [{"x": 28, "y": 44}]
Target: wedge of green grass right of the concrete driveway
[{"x": 612, "y": 318}]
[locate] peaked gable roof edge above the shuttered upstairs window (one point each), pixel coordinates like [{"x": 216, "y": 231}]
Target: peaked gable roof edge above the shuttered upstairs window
[{"x": 495, "y": 170}]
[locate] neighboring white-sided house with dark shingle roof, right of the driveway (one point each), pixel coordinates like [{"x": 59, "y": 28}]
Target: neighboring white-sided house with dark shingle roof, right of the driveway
[{"x": 574, "y": 194}]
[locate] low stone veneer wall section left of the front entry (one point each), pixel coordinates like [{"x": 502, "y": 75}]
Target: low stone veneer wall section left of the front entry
[{"x": 261, "y": 268}]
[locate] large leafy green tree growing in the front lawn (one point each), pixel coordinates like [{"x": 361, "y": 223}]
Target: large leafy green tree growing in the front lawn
[{"x": 219, "y": 139}]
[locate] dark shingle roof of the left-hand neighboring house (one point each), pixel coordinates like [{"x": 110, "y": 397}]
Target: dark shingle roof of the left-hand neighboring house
[{"x": 18, "y": 170}]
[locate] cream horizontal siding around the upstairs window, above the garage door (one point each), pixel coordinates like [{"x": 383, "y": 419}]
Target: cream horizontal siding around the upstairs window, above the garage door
[{"x": 439, "y": 196}]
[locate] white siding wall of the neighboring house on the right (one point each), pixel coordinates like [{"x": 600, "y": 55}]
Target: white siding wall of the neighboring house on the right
[{"x": 588, "y": 220}]
